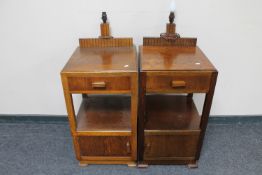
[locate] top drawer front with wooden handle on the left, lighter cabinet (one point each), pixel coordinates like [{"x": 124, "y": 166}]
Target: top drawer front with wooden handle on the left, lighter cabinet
[{"x": 99, "y": 83}]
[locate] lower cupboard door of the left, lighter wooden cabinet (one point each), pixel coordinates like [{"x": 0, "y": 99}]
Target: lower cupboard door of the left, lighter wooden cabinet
[{"x": 105, "y": 146}]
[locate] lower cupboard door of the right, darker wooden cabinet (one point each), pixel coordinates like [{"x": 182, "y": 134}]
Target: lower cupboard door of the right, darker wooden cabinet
[{"x": 170, "y": 146}]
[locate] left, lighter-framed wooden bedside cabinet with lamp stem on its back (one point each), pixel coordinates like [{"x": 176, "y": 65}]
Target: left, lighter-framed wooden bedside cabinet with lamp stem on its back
[{"x": 105, "y": 72}]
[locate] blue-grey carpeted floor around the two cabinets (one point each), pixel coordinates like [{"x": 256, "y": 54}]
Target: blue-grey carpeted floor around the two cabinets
[{"x": 35, "y": 148}]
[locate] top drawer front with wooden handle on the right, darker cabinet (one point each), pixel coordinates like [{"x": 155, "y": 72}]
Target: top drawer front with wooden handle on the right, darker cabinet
[{"x": 178, "y": 82}]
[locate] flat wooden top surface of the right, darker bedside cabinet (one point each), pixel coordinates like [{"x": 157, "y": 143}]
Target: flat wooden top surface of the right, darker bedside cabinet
[{"x": 160, "y": 58}]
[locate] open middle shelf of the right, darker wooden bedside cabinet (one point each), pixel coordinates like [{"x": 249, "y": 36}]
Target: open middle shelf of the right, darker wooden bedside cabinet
[{"x": 171, "y": 112}]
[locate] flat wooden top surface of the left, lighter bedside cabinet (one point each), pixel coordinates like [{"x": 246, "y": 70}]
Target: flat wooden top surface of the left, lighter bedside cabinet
[{"x": 96, "y": 60}]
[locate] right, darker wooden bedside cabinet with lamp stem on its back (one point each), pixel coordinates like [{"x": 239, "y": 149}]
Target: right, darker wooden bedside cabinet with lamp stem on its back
[{"x": 170, "y": 129}]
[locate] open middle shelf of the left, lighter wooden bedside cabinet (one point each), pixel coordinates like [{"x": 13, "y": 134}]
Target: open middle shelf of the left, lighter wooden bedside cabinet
[{"x": 104, "y": 113}]
